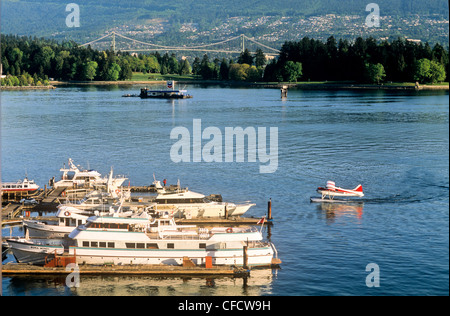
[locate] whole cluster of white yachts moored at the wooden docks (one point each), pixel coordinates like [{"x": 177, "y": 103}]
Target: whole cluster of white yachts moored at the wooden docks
[{"x": 154, "y": 238}]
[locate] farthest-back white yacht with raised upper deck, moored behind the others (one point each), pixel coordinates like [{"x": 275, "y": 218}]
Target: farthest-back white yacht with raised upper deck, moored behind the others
[{"x": 74, "y": 177}]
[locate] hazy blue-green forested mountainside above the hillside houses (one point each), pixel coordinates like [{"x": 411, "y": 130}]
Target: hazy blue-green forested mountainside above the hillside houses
[{"x": 46, "y": 18}]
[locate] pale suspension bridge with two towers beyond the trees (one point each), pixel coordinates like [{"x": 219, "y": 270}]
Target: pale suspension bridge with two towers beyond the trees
[{"x": 233, "y": 45}]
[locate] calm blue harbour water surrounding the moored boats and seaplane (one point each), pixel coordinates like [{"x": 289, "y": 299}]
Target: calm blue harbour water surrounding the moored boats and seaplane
[{"x": 396, "y": 144}]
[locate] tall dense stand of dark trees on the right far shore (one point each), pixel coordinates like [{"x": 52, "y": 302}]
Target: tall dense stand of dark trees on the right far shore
[{"x": 365, "y": 60}]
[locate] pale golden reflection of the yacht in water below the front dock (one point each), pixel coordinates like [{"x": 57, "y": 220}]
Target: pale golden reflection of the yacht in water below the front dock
[{"x": 259, "y": 283}]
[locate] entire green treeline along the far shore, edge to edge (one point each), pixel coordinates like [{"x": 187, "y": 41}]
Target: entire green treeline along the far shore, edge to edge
[{"x": 33, "y": 61}]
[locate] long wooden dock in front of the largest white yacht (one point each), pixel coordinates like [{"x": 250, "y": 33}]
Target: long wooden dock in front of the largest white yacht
[{"x": 158, "y": 270}]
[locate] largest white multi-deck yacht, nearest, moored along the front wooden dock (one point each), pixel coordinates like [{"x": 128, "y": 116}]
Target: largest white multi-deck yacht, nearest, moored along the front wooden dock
[{"x": 124, "y": 241}]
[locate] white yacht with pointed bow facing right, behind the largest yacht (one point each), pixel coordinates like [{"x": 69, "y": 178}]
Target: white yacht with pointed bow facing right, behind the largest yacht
[{"x": 188, "y": 204}]
